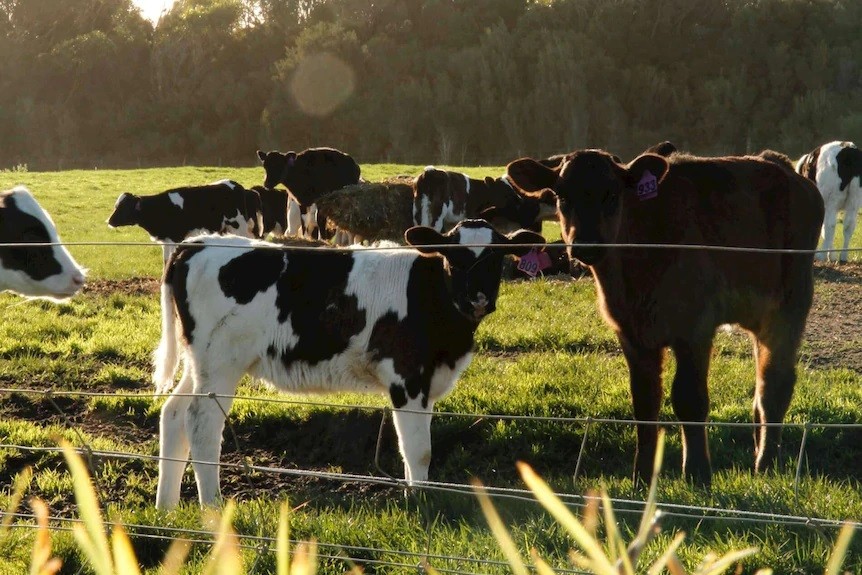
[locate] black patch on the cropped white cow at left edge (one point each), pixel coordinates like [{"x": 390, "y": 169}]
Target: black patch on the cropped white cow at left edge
[{"x": 17, "y": 226}]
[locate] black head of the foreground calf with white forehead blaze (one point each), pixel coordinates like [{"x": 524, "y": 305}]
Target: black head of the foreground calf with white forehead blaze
[{"x": 474, "y": 271}]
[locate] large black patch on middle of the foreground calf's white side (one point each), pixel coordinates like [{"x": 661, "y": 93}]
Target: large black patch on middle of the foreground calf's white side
[{"x": 311, "y": 294}]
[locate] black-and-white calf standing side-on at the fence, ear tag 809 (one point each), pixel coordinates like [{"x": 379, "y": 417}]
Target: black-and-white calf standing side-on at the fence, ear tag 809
[{"x": 398, "y": 322}]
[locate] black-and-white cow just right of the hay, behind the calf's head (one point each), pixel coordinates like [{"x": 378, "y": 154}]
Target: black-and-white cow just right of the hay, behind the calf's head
[{"x": 443, "y": 198}]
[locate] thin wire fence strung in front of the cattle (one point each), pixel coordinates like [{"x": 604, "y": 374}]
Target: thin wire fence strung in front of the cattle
[{"x": 405, "y": 559}]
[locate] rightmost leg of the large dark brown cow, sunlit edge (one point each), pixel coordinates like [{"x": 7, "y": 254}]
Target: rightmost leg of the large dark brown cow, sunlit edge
[{"x": 775, "y": 353}]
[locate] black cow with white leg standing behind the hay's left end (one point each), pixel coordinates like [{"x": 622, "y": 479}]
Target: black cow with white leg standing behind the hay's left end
[{"x": 308, "y": 175}]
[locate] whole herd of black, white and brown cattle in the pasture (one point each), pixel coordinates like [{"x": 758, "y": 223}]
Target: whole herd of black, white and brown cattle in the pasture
[{"x": 402, "y": 321}]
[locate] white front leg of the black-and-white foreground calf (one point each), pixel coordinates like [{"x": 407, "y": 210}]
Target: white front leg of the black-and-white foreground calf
[{"x": 413, "y": 425}]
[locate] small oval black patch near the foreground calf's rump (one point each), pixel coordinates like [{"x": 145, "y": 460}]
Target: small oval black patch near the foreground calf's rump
[{"x": 251, "y": 273}]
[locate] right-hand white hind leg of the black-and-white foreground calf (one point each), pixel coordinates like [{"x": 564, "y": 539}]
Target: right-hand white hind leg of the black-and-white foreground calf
[{"x": 205, "y": 423}]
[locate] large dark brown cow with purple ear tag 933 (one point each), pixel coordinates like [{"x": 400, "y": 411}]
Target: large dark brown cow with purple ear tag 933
[{"x": 656, "y": 299}]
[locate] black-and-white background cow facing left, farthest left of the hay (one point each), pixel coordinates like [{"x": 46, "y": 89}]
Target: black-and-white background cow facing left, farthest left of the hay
[{"x": 171, "y": 216}]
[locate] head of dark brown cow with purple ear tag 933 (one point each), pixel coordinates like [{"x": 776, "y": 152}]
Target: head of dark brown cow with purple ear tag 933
[{"x": 589, "y": 185}]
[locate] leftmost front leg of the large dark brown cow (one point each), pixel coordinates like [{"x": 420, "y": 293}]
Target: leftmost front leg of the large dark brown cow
[{"x": 645, "y": 365}]
